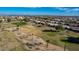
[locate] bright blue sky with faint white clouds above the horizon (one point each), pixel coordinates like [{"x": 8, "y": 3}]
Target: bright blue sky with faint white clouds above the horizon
[{"x": 59, "y": 11}]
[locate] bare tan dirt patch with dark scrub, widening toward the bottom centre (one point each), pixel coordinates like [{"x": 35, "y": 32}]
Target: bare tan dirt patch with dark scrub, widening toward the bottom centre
[{"x": 28, "y": 36}]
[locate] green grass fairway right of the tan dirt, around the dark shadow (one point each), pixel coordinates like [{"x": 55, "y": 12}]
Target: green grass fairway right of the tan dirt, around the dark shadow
[{"x": 55, "y": 38}]
